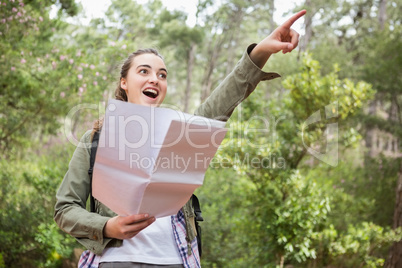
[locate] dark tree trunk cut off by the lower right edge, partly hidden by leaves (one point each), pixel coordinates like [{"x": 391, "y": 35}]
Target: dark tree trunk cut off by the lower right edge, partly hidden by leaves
[{"x": 395, "y": 254}]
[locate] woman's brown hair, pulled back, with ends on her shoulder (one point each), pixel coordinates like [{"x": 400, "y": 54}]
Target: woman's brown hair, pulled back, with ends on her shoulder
[{"x": 120, "y": 93}]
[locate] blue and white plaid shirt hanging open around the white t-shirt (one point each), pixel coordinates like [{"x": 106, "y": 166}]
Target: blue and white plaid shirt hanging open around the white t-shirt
[{"x": 188, "y": 252}]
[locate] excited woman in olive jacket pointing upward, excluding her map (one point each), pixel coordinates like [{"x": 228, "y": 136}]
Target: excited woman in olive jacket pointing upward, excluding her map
[{"x": 141, "y": 240}]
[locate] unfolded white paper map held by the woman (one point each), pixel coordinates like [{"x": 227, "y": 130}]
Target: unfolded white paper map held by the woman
[{"x": 150, "y": 160}]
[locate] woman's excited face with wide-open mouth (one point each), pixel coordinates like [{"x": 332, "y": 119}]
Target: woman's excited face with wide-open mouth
[{"x": 146, "y": 82}]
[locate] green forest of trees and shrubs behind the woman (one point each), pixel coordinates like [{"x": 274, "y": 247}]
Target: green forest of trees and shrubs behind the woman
[{"x": 310, "y": 174}]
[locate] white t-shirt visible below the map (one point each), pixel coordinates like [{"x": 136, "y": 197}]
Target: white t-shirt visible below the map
[{"x": 154, "y": 245}]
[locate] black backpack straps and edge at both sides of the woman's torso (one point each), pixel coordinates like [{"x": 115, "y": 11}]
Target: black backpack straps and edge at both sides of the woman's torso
[{"x": 194, "y": 198}]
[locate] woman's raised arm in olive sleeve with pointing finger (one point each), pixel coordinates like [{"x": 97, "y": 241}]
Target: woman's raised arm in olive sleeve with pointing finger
[{"x": 246, "y": 75}]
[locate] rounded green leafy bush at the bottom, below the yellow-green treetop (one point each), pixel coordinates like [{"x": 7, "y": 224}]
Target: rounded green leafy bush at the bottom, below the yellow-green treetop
[{"x": 287, "y": 216}]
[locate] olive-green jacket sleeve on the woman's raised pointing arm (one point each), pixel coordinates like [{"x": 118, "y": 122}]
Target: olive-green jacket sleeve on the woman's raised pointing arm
[{"x": 235, "y": 88}]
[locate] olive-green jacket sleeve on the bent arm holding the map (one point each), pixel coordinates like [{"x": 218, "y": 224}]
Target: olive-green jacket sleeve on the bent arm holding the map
[{"x": 70, "y": 209}]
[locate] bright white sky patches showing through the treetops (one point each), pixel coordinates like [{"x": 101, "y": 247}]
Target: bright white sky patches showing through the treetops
[{"x": 96, "y": 8}]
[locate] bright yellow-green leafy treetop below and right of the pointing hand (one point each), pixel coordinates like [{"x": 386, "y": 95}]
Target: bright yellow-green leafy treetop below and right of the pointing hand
[{"x": 309, "y": 94}]
